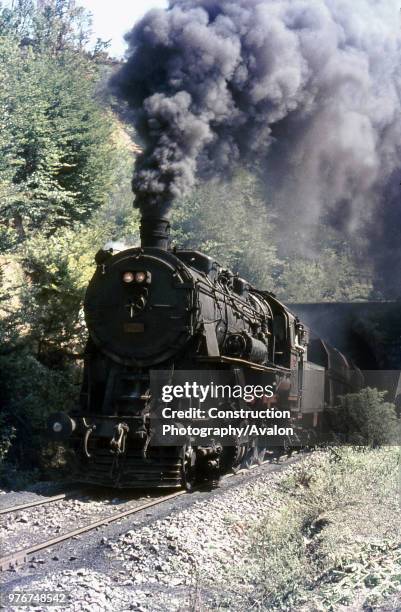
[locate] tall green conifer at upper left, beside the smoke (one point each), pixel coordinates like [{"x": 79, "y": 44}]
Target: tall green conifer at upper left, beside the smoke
[{"x": 56, "y": 146}]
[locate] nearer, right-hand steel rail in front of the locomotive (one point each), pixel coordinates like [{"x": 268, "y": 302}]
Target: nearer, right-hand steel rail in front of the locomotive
[{"x": 21, "y": 556}]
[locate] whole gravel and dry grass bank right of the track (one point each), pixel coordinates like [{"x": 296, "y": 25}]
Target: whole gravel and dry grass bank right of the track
[{"x": 277, "y": 538}]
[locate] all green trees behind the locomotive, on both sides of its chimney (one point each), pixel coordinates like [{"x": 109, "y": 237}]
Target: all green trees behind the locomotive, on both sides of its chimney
[{"x": 66, "y": 161}]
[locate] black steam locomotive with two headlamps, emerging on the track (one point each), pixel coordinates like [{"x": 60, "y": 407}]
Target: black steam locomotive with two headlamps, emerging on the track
[{"x": 152, "y": 309}]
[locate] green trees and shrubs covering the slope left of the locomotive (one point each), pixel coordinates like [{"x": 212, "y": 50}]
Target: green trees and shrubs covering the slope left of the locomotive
[{"x": 62, "y": 157}]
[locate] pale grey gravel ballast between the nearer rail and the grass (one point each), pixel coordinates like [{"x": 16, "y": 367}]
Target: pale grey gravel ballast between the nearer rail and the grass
[{"x": 197, "y": 558}]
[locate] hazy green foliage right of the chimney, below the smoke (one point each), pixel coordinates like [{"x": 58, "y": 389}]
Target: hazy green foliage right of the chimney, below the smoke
[{"x": 232, "y": 221}]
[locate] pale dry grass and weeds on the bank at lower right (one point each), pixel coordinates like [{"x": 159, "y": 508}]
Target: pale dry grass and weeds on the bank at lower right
[{"x": 331, "y": 540}]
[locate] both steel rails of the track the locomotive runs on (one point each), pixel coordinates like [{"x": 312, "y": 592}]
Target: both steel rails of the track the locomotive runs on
[{"x": 21, "y": 556}]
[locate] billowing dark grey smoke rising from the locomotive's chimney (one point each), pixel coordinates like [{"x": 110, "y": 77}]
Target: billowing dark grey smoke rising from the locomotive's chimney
[{"x": 308, "y": 88}]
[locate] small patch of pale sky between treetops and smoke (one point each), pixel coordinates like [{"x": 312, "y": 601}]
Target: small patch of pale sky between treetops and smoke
[{"x": 112, "y": 18}]
